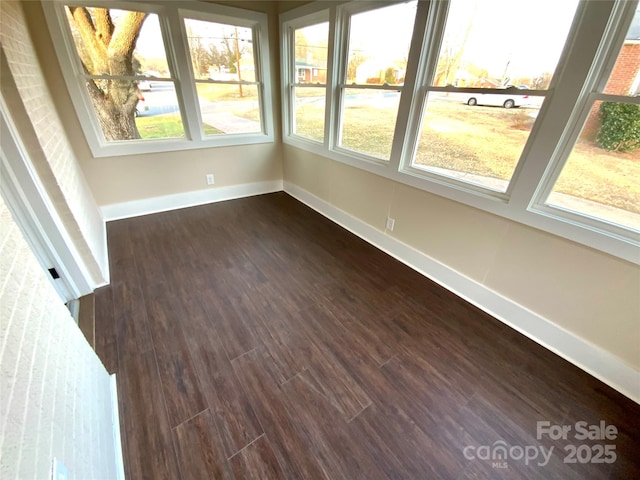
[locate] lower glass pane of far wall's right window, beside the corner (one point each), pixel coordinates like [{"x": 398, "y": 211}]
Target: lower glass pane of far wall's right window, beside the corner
[{"x": 229, "y": 108}]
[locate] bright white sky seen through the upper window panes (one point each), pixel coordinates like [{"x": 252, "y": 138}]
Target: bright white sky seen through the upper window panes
[{"x": 527, "y": 35}]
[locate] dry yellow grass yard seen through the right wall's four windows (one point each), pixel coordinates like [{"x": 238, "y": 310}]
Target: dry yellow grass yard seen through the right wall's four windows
[{"x": 485, "y": 141}]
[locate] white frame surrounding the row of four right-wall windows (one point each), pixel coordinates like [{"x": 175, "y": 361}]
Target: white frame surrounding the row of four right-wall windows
[{"x": 583, "y": 49}]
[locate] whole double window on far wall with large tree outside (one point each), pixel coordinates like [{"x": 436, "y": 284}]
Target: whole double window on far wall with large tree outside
[{"x": 135, "y": 91}]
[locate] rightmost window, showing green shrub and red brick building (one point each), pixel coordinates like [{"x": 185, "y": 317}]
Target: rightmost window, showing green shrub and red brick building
[{"x": 600, "y": 178}]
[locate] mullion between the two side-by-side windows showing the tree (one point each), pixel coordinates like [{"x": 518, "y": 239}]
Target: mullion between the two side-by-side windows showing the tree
[{"x": 178, "y": 56}]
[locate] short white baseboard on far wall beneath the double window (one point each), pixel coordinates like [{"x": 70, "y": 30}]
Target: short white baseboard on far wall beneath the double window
[{"x": 146, "y": 206}]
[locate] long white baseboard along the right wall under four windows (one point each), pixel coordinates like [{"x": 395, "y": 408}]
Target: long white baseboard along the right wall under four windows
[{"x": 590, "y": 358}]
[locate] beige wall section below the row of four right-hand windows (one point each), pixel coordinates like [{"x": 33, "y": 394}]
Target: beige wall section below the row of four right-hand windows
[{"x": 588, "y": 293}]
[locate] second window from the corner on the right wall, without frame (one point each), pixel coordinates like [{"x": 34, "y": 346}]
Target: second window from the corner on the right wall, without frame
[{"x": 372, "y": 77}]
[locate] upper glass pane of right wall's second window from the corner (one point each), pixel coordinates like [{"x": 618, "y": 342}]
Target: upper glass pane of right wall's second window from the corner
[{"x": 379, "y": 44}]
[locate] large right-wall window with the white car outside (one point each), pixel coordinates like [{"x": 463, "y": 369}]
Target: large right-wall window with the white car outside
[{"x": 479, "y": 136}]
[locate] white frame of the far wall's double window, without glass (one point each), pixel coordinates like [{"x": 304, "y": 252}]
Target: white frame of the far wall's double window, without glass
[{"x": 171, "y": 15}]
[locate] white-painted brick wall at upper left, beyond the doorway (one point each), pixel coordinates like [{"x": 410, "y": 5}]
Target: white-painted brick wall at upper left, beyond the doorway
[{"x": 48, "y": 145}]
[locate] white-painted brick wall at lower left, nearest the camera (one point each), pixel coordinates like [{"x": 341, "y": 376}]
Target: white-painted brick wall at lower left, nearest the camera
[{"x": 54, "y": 392}]
